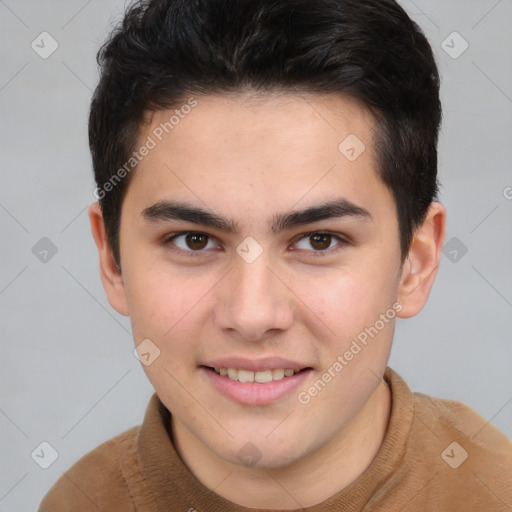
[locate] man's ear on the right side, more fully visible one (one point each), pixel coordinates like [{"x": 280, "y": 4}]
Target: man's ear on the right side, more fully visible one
[{"x": 420, "y": 267}]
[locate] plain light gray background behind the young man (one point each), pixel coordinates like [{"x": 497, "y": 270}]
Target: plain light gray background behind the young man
[{"x": 68, "y": 373}]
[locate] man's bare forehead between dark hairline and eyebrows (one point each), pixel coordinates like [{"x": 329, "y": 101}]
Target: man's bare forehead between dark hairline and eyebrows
[{"x": 235, "y": 149}]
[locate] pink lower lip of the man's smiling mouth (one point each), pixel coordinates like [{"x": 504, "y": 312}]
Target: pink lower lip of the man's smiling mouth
[{"x": 254, "y": 393}]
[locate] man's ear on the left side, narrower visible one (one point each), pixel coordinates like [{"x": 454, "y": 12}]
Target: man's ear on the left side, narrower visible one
[{"x": 111, "y": 276}]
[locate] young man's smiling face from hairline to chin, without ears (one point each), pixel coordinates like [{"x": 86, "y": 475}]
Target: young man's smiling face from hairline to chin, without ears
[{"x": 251, "y": 240}]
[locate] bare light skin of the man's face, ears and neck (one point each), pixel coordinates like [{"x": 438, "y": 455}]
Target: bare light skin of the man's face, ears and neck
[{"x": 249, "y": 158}]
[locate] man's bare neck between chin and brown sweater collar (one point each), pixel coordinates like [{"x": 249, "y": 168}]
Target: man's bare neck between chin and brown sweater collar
[{"x": 304, "y": 483}]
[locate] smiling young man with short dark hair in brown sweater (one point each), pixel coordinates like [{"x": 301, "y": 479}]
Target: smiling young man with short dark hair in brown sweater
[{"x": 267, "y": 186}]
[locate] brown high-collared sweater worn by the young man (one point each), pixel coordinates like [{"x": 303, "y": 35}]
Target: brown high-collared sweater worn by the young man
[{"x": 437, "y": 455}]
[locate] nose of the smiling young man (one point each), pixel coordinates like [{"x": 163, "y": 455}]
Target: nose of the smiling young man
[{"x": 253, "y": 301}]
